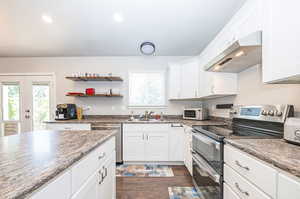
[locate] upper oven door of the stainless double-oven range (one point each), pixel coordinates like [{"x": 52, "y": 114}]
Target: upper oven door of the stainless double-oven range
[{"x": 210, "y": 150}]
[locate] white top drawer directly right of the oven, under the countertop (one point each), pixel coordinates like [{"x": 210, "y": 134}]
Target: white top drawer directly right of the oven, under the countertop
[{"x": 259, "y": 173}]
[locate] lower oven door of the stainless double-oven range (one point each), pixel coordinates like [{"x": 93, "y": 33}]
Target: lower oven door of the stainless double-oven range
[{"x": 206, "y": 180}]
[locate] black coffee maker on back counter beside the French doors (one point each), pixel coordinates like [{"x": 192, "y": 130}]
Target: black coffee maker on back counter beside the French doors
[{"x": 66, "y": 112}]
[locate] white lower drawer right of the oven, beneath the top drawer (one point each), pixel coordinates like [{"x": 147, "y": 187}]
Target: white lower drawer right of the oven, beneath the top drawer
[{"x": 242, "y": 187}]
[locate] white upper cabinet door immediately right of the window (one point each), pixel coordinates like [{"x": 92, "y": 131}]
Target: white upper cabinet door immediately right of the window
[{"x": 174, "y": 81}]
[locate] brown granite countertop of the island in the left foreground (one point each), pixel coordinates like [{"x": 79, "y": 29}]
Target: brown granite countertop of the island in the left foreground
[{"x": 29, "y": 160}]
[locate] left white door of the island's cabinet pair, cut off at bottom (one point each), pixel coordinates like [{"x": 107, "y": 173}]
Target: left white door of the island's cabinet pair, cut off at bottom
[{"x": 89, "y": 189}]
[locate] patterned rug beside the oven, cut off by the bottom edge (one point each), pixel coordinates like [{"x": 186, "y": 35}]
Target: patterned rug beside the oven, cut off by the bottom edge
[{"x": 205, "y": 192}]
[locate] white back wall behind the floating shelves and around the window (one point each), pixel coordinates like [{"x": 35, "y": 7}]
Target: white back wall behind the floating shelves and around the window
[{"x": 117, "y": 65}]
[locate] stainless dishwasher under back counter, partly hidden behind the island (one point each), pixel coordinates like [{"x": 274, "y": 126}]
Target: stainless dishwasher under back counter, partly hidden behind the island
[{"x": 119, "y": 145}]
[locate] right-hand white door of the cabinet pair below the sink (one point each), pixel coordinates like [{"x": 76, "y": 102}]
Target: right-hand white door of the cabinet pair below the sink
[{"x": 156, "y": 146}]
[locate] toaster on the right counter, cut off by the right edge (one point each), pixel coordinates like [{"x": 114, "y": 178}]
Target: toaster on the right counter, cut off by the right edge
[{"x": 292, "y": 130}]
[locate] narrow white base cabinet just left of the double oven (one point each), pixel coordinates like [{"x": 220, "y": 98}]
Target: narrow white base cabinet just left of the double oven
[{"x": 188, "y": 158}]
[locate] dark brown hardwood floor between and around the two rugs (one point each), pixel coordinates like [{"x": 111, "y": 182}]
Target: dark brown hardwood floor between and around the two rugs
[{"x": 152, "y": 188}]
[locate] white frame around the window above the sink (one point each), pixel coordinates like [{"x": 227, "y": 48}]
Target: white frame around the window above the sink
[{"x": 163, "y": 73}]
